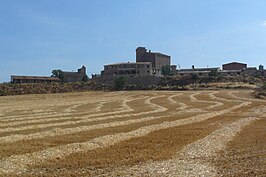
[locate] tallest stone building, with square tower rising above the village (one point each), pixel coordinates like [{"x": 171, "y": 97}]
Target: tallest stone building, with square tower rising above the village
[{"x": 158, "y": 60}]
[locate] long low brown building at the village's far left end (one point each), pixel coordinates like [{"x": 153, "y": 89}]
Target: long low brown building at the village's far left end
[{"x": 33, "y": 79}]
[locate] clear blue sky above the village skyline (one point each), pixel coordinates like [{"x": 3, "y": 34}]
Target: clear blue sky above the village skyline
[{"x": 37, "y": 36}]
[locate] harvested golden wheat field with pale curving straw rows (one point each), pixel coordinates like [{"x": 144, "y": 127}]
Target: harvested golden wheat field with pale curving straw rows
[{"x": 140, "y": 133}]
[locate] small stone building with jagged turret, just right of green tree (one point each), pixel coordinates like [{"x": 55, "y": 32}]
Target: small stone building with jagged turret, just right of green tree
[{"x": 78, "y": 76}]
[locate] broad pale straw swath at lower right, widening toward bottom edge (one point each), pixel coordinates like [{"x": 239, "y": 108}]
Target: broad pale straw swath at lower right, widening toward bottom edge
[{"x": 194, "y": 159}]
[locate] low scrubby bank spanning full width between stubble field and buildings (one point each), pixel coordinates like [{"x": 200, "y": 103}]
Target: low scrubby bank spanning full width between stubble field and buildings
[{"x": 136, "y": 83}]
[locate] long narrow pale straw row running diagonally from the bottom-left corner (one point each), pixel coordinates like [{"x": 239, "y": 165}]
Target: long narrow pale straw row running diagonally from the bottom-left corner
[{"x": 14, "y": 164}]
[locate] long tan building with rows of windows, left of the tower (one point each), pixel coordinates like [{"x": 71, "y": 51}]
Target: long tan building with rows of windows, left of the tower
[{"x": 128, "y": 69}]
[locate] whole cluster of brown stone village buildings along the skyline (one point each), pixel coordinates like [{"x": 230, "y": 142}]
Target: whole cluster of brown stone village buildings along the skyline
[{"x": 149, "y": 65}]
